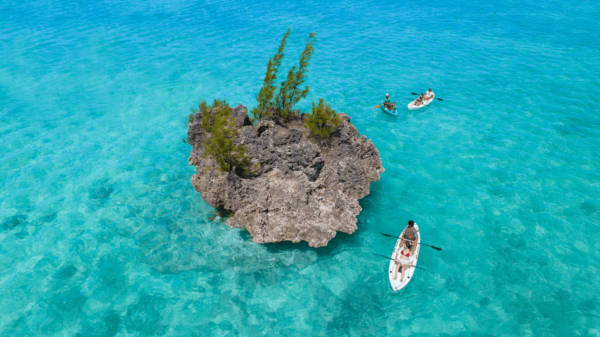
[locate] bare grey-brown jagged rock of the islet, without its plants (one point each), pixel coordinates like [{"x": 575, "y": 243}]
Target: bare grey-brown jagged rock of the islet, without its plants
[{"x": 300, "y": 189}]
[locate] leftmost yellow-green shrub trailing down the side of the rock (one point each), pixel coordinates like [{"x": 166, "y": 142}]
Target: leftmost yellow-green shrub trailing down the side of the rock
[{"x": 219, "y": 123}]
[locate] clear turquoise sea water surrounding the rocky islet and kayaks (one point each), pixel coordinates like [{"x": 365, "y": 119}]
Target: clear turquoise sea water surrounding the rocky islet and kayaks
[{"x": 101, "y": 232}]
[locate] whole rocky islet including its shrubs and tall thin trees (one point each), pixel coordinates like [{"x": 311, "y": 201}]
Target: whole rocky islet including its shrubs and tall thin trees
[{"x": 285, "y": 175}]
